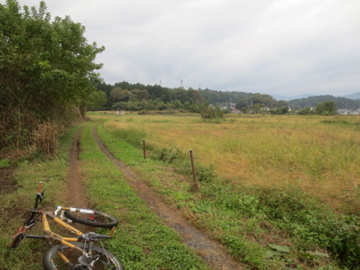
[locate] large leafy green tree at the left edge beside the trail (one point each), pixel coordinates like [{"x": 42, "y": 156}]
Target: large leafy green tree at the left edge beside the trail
[{"x": 46, "y": 68}]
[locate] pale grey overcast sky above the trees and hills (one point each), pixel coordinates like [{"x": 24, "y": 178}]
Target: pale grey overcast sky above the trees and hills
[{"x": 276, "y": 47}]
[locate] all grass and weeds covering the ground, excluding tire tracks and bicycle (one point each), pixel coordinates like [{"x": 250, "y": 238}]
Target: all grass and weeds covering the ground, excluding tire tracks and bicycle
[{"x": 279, "y": 192}]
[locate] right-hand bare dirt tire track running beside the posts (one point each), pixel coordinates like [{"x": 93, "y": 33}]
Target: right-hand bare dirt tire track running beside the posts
[{"x": 211, "y": 251}]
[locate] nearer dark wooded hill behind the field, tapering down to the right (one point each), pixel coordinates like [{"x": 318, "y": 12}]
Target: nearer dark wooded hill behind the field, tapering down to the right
[{"x": 138, "y": 97}]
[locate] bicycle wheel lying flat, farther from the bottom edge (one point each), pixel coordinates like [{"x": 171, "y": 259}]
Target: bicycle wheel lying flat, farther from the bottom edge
[{"x": 91, "y": 217}]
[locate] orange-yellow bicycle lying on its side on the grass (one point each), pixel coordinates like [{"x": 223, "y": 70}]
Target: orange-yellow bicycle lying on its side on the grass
[{"x": 72, "y": 253}]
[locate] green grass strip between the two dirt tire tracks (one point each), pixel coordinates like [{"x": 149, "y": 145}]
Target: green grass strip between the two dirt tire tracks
[{"x": 141, "y": 241}]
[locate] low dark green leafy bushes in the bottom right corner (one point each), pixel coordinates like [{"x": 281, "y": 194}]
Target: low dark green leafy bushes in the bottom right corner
[{"x": 313, "y": 224}]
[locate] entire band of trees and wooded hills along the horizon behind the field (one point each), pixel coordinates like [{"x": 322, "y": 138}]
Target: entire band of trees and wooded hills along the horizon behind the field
[{"x": 140, "y": 97}]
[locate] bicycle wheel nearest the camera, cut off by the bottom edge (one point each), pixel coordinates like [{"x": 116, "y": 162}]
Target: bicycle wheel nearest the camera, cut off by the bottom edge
[{"x": 53, "y": 261}]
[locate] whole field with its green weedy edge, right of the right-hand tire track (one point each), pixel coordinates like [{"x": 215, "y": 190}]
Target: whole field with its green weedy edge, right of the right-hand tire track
[{"x": 277, "y": 191}]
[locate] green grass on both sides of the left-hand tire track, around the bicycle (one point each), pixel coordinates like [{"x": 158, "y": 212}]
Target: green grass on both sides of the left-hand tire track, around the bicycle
[{"x": 141, "y": 241}]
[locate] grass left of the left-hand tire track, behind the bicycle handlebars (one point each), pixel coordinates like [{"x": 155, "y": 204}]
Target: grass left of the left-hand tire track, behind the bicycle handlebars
[{"x": 15, "y": 204}]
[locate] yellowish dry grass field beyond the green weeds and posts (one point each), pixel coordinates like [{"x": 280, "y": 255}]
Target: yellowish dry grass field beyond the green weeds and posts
[{"x": 319, "y": 155}]
